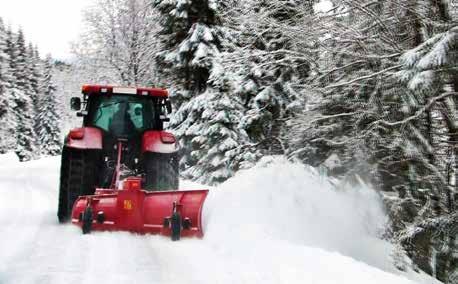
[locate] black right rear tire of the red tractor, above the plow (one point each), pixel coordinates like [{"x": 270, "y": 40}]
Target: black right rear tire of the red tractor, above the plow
[{"x": 162, "y": 171}]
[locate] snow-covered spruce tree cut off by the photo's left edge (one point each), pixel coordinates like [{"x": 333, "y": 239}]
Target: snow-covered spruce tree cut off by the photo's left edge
[{"x": 7, "y": 117}]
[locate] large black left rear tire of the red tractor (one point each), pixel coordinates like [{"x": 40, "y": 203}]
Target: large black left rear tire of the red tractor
[{"x": 77, "y": 177}]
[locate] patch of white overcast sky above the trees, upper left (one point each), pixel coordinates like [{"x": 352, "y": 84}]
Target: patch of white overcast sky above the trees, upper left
[{"x": 49, "y": 24}]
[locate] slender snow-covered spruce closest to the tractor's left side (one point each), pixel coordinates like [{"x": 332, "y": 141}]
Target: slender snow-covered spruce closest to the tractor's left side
[{"x": 48, "y": 116}]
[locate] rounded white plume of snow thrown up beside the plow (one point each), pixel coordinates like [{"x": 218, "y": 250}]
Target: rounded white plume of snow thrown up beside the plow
[{"x": 290, "y": 202}]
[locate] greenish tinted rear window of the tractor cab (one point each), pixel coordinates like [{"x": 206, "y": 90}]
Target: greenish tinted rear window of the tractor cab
[{"x": 122, "y": 115}]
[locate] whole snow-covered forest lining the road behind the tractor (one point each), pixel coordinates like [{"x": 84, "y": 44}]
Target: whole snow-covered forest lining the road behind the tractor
[{"x": 364, "y": 90}]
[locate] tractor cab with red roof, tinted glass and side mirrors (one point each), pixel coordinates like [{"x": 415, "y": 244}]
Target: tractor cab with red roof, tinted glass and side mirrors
[{"x": 123, "y": 112}]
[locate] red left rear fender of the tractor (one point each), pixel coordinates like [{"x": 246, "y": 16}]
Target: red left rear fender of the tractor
[{"x": 84, "y": 138}]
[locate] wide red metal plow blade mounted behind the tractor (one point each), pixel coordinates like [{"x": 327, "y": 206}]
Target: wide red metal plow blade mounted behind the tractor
[{"x": 169, "y": 213}]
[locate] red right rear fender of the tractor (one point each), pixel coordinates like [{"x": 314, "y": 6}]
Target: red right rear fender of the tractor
[{"x": 159, "y": 142}]
